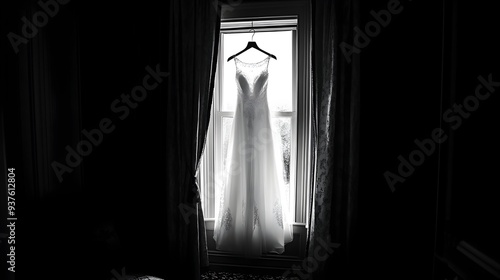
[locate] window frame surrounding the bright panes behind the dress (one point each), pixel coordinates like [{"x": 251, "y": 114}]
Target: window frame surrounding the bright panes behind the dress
[{"x": 262, "y": 15}]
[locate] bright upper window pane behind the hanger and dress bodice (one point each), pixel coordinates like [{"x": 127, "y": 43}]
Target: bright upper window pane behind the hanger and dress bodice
[{"x": 280, "y": 83}]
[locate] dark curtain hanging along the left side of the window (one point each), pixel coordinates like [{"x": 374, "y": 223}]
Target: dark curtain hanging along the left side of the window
[{"x": 192, "y": 55}]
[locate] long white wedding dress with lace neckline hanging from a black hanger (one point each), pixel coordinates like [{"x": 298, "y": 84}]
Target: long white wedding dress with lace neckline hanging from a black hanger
[{"x": 251, "y": 219}]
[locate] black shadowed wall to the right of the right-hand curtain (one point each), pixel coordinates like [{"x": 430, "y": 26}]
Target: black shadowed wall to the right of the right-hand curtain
[{"x": 402, "y": 101}]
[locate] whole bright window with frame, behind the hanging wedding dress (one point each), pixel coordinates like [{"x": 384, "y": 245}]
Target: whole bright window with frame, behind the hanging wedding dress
[{"x": 288, "y": 97}]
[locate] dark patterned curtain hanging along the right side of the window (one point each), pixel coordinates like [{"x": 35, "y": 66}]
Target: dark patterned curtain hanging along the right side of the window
[{"x": 336, "y": 137}]
